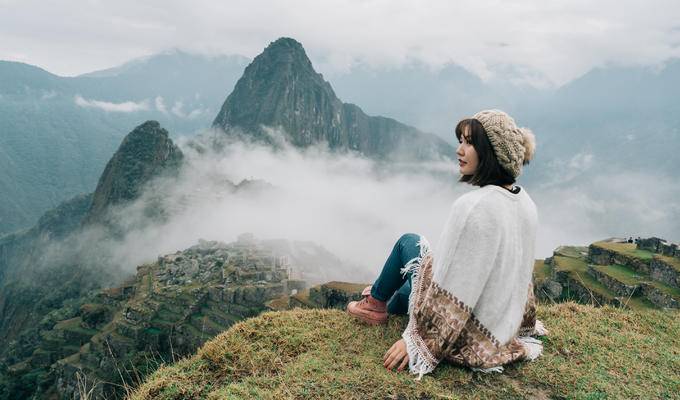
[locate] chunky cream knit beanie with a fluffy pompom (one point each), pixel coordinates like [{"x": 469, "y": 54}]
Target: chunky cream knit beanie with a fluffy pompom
[{"x": 513, "y": 146}]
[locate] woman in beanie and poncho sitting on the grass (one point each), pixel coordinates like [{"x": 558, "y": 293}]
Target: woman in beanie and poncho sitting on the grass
[{"x": 472, "y": 304}]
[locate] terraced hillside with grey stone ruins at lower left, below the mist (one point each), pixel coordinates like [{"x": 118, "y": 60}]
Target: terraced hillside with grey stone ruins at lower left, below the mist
[{"x": 167, "y": 310}]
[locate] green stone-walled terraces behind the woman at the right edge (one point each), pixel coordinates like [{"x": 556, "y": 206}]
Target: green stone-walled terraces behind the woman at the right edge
[{"x": 613, "y": 271}]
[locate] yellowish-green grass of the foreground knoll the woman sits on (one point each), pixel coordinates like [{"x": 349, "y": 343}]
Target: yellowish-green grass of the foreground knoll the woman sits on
[{"x": 317, "y": 354}]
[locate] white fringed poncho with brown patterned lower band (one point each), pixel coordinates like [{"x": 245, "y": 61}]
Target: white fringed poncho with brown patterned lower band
[{"x": 472, "y": 303}]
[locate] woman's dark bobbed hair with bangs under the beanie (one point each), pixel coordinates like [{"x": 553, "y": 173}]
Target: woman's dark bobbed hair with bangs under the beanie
[{"x": 489, "y": 170}]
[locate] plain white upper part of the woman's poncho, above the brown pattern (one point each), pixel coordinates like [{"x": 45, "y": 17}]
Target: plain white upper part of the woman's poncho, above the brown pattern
[{"x": 500, "y": 230}]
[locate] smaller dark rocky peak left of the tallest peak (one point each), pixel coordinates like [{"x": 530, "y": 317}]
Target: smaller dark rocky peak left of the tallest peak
[{"x": 145, "y": 153}]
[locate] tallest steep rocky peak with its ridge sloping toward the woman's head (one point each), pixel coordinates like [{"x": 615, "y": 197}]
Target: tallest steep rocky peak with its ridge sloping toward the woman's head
[{"x": 281, "y": 89}]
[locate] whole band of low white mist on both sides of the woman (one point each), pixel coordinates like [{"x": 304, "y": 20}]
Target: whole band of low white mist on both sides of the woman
[{"x": 357, "y": 208}]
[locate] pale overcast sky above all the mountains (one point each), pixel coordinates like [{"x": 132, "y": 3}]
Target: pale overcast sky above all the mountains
[{"x": 546, "y": 42}]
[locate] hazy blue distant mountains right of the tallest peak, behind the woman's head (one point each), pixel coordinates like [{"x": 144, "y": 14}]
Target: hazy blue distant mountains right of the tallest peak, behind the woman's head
[{"x": 614, "y": 118}]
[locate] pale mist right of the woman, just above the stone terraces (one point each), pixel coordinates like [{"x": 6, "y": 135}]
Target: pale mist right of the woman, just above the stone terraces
[{"x": 600, "y": 205}]
